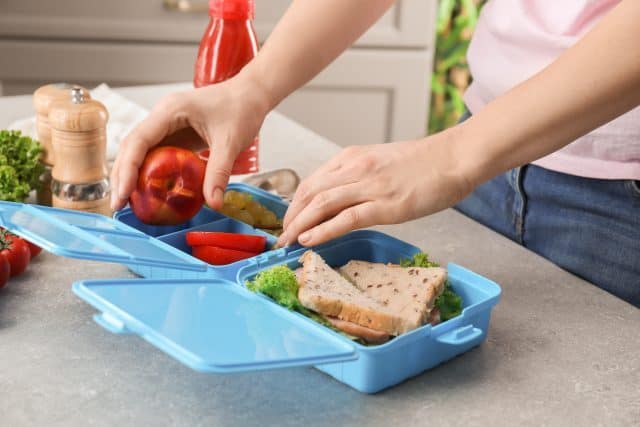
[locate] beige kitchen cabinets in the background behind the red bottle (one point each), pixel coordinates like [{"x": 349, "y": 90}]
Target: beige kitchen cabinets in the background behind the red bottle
[{"x": 377, "y": 91}]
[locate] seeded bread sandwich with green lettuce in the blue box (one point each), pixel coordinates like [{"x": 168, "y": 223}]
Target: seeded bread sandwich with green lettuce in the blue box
[{"x": 368, "y": 302}]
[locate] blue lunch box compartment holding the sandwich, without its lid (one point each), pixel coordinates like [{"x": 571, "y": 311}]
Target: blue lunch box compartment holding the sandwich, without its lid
[{"x": 381, "y": 366}]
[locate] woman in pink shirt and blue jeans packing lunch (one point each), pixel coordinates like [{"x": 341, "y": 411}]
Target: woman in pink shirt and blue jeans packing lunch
[{"x": 546, "y": 74}]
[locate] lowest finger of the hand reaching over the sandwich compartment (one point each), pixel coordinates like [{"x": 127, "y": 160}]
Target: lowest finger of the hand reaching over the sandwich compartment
[{"x": 353, "y": 218}]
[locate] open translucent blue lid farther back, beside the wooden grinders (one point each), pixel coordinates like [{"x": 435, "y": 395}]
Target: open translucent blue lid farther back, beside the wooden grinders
[{"x": 91, "y": 236}]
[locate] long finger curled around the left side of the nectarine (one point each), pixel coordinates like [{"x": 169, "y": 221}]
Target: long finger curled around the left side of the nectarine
[{"x": 162, "y": 121}]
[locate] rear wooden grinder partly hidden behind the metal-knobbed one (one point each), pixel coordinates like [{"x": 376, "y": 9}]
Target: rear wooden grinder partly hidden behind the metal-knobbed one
[{"x": 43, "y": 97}]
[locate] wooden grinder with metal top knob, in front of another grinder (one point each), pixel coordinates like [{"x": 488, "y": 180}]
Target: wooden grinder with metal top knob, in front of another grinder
[{"x": 78, "y": 137}]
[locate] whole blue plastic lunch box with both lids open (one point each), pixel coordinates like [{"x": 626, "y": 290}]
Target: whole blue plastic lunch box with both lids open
[{"x": 203, "y": 315}]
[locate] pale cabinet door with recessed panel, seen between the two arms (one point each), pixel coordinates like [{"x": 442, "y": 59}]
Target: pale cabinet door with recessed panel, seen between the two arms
[{"x": 366, "y": 97}]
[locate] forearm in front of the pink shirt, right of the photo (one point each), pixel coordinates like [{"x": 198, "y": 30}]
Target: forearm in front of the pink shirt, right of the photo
[{"x": 593, "y": 82}]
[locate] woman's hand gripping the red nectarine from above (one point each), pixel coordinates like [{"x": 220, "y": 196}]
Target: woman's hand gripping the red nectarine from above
[{"x": 226, "y": 116}]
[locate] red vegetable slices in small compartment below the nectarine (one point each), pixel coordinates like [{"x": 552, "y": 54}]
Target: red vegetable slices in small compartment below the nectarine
[{"x": 220, "y": 248}]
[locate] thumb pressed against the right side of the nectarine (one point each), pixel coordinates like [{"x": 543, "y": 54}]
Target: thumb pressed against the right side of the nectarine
[{"x": 216, "y": 178}]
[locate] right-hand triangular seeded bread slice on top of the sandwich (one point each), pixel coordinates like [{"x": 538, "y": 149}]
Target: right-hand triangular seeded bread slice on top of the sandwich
[{"x": 409, "y": 292}]
